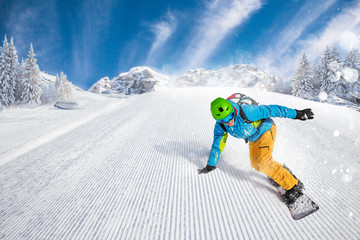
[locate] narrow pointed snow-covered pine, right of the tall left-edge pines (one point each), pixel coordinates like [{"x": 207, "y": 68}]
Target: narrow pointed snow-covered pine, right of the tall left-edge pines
[{"x": 30, "y": 80}]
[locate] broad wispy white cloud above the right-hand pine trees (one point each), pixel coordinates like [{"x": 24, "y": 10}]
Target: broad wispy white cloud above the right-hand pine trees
[{"x": 284, "y": 52}]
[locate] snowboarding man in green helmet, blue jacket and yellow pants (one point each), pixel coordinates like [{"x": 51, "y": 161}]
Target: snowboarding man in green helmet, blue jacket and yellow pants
[{"x": 254, "y": 123}]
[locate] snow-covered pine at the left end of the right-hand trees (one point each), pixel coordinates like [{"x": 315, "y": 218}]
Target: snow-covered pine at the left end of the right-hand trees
[{"x": 302, "y": 84}]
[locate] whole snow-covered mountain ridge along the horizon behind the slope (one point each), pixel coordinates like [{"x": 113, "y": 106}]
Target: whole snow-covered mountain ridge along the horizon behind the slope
[{"x": 145, "y": 79}]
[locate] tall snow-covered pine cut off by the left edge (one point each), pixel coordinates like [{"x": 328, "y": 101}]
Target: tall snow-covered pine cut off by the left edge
[{"x": 8, "y": 73}]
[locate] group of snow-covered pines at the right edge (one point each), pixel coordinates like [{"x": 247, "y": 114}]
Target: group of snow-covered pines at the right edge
[{"x": 330, "y": 79}]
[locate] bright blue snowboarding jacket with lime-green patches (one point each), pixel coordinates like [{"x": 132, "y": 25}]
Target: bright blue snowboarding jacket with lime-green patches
[{"x": 241, "y": 129}]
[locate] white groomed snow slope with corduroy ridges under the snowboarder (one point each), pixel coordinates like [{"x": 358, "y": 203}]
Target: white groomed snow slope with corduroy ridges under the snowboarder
[{"x": 127, "y": 169}]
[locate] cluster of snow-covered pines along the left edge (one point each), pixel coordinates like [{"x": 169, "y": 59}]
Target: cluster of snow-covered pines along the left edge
[{"x": 22, "y": 84}]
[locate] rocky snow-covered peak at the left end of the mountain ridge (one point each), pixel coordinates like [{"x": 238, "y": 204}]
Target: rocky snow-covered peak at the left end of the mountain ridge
[{"x": 138, "y": 80}]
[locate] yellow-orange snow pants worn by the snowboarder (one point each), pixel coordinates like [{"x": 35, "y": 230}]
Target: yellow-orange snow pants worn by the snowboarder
[{"x": 261, "y": 160}]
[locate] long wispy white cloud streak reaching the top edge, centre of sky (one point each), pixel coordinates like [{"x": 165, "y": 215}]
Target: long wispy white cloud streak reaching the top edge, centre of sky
[{"x": 220, "y": 17}]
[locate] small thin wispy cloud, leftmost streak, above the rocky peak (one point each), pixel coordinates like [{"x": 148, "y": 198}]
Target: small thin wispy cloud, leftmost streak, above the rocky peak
[{"x": 162, "y": 31}]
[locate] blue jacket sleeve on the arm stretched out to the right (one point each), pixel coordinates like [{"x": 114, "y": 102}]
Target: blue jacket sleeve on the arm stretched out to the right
[{"x": 253, "y": 112}]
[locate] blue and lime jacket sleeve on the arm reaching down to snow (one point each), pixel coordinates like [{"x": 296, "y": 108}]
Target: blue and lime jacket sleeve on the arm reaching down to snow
[{"x": 220, "y": 137}]
